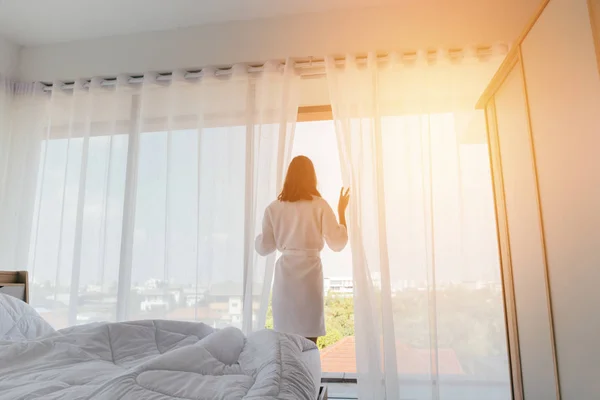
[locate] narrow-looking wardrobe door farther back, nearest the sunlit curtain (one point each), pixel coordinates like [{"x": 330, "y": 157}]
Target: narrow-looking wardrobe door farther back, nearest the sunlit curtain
[{"x": 525, "y": 238}]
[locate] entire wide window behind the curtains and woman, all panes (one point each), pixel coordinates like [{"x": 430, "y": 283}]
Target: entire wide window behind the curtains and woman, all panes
[{"x": 188, "y": 250}]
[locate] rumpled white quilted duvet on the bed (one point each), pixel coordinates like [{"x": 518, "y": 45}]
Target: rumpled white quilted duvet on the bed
[{"x": 155, "y": 360}]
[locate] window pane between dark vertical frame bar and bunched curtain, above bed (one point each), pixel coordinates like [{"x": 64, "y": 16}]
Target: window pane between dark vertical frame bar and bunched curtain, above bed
[{"x": 190, "y": 251}]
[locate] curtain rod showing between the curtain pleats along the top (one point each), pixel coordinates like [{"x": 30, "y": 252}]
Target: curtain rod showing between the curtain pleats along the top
[{"x": 313, "y": 67}]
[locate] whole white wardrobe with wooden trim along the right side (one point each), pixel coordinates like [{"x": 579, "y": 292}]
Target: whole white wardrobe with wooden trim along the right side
[{"x": 543, "y": 114}]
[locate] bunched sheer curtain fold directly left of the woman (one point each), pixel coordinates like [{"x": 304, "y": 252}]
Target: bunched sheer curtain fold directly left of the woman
[{"x": 277, "y": 111}]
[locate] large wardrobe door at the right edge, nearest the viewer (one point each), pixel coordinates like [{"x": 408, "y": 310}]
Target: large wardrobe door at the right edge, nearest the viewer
[{"x": 563, "y": 88}]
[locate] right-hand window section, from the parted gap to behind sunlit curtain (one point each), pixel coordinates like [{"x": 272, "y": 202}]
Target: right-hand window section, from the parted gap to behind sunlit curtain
[{"x": 469, "y": 329}]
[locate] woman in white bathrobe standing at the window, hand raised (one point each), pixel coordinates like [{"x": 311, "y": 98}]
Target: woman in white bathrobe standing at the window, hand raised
[{"x": 297, "y": 224}]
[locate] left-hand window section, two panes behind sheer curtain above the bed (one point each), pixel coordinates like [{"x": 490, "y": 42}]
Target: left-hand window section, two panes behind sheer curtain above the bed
[{"x": 187, "y": 255}]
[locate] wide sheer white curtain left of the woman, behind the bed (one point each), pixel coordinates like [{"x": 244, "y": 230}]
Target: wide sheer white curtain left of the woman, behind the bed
[{"x": 147, "y": 196}]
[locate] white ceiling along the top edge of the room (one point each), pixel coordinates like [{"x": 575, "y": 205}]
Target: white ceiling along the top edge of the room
[{"x": 39, "y": 22}]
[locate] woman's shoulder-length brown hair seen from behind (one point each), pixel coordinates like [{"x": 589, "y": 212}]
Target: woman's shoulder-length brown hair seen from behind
[{"x": 300, "y": 181}]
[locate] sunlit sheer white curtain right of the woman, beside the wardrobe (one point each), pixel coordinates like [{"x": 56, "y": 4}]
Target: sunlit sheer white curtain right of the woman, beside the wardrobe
[{"x": 428, "y": 301}]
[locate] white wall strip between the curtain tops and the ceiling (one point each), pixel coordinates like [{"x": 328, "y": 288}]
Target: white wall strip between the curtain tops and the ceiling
[{"x": 411, "y": 26}]
